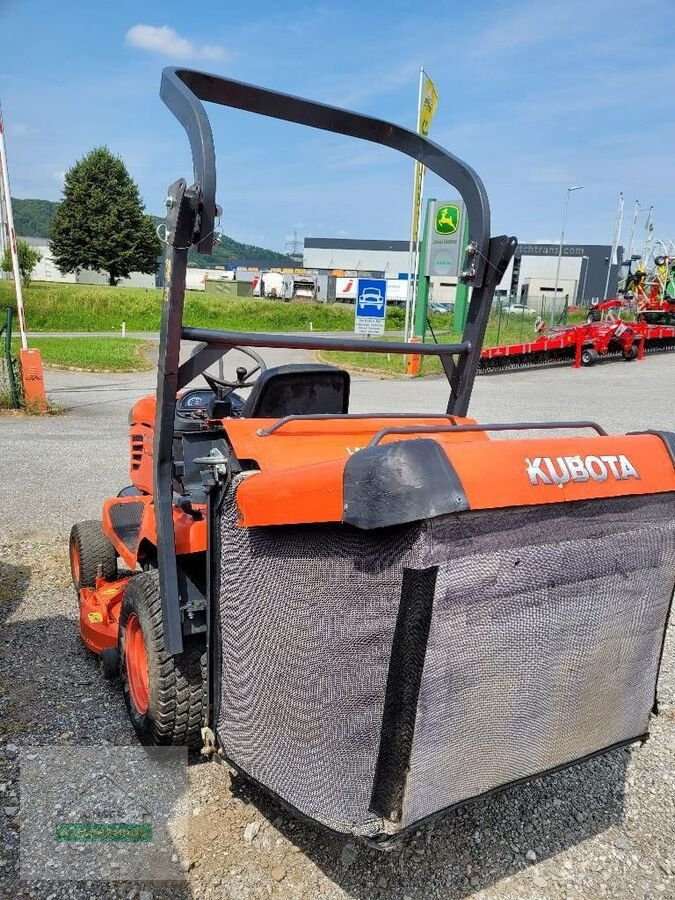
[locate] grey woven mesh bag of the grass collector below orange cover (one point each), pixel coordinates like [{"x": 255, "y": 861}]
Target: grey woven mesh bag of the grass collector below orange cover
[{"x": 543, "y": 646}]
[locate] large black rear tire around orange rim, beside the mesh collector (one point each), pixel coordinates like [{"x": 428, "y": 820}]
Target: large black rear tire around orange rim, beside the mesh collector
[{"x": 176, "y": 701}]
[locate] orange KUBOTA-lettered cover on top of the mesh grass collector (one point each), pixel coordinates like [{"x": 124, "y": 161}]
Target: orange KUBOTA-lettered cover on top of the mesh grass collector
[{"x": 494, "y": 474}]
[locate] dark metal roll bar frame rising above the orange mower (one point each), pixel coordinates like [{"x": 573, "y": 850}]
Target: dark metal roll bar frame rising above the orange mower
[{"x": 190, "y": 220}]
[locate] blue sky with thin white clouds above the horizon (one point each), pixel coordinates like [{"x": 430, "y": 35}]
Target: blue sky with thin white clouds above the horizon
[{"x": 535, "y": 96}]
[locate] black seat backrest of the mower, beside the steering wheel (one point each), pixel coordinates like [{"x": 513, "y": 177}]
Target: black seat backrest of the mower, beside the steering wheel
[{"x": 301, "y": 389}]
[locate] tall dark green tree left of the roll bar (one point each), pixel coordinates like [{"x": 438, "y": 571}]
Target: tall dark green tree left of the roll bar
[{"x": 100, "y": 223}]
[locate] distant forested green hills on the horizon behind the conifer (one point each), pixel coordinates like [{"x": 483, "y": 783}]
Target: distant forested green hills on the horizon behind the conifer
[{"x": 33, "y": 218}]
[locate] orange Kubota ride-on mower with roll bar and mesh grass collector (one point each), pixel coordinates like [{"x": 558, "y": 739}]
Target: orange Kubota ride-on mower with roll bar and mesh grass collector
[{"x": 376, "y": 617}]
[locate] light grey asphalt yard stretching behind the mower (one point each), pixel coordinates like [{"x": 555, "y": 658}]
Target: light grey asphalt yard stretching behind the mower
[{"x": 59, "y": 469}]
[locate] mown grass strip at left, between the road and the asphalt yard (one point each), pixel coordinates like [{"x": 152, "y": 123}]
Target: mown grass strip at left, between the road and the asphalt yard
[{"x": 93, "y": 354}]
